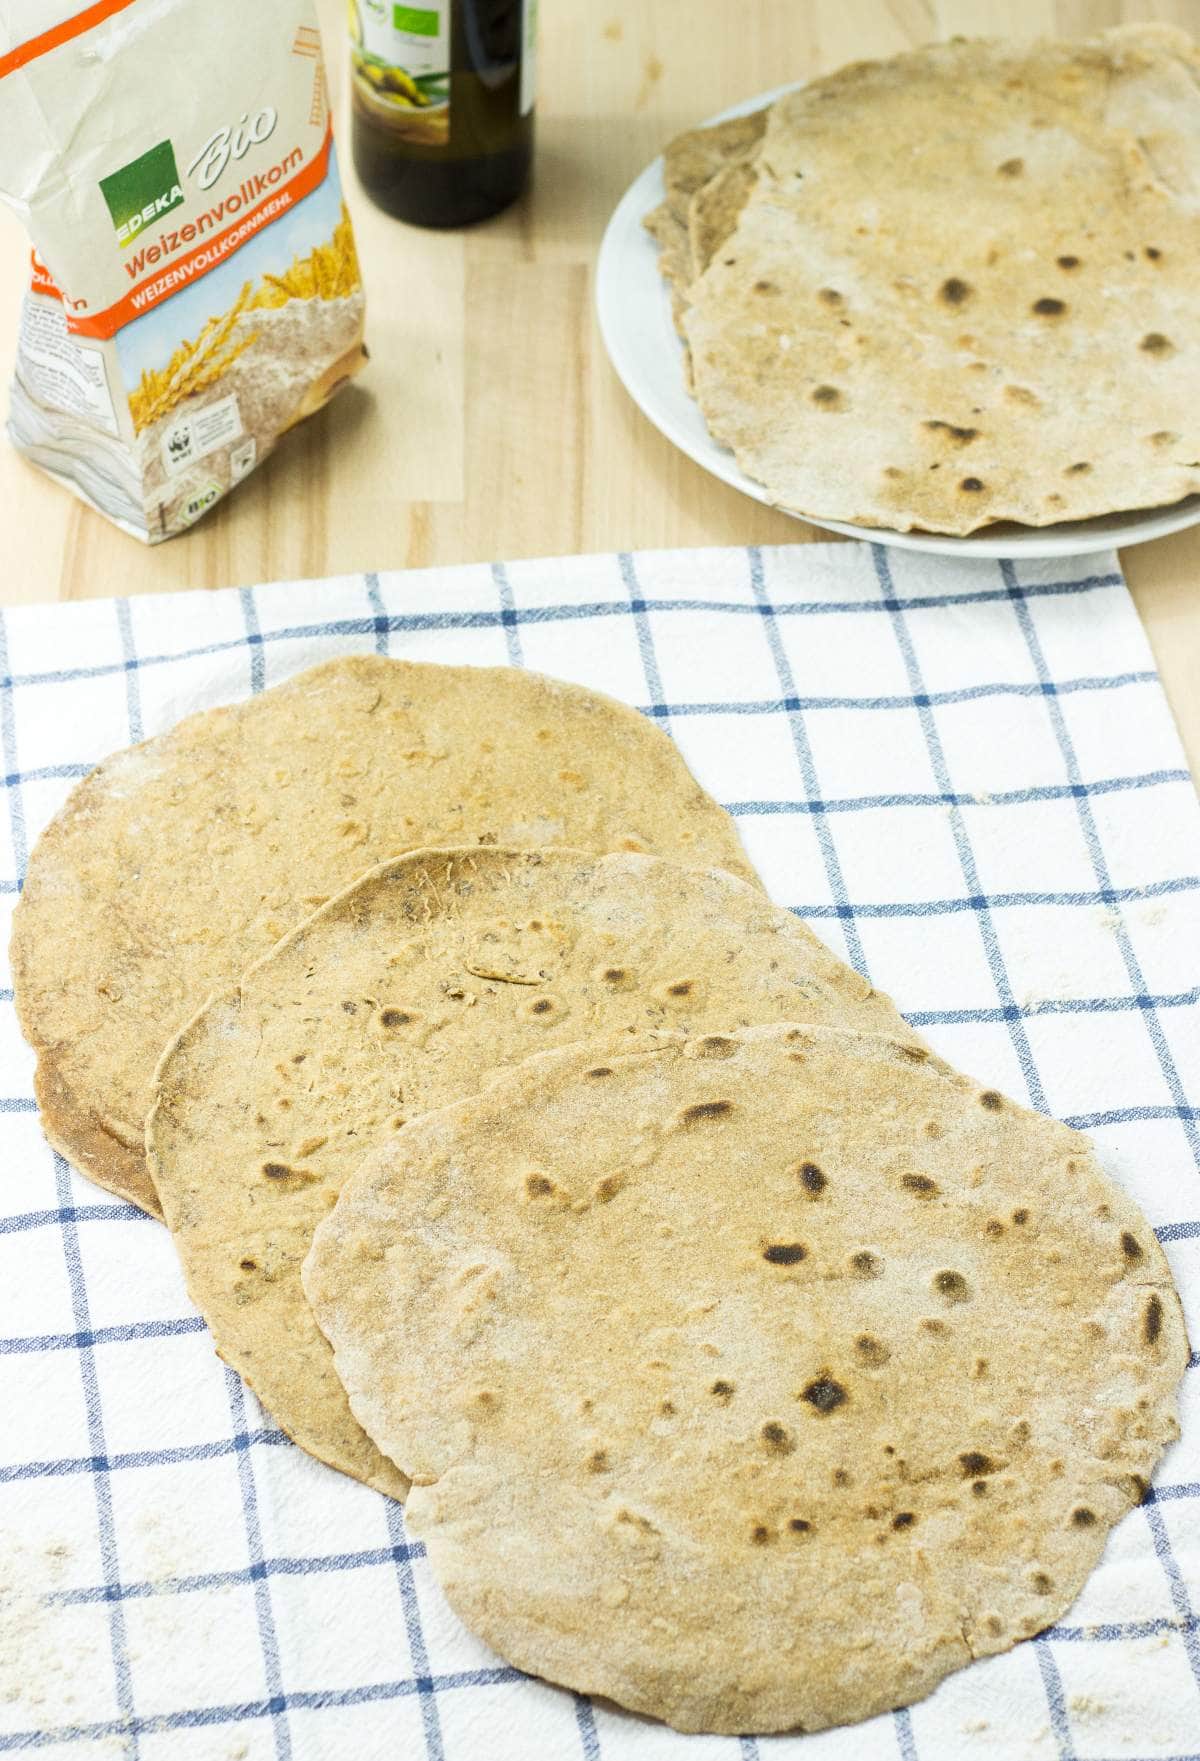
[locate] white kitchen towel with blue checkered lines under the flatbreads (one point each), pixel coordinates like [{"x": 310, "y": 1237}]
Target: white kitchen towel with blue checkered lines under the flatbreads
[{"x": 967, "y": 777}]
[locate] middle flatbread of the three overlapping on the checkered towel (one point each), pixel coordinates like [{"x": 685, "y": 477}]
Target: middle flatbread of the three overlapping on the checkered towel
[{"x": 406, "y": 992}]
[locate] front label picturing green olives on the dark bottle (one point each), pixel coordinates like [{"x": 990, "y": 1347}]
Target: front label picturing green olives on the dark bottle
[{"x": 401, "y": 66}]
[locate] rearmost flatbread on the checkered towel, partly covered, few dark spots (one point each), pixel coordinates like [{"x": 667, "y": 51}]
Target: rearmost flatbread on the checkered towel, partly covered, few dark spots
[{"x": 179, "y": 862}]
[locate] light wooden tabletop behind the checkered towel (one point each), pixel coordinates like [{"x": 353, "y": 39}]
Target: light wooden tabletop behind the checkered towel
[{"x": 489, "y": 424}]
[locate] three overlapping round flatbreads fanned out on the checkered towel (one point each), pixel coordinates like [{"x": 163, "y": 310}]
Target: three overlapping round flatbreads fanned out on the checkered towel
[{"x": 739, "y": 1359}]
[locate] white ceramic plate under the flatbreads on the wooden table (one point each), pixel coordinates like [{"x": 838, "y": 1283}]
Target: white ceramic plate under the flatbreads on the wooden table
[{"x": 635, "y": 320}]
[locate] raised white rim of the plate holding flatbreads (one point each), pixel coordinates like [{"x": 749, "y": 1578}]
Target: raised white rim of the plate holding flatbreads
[{"x": 1083, "y": 538}]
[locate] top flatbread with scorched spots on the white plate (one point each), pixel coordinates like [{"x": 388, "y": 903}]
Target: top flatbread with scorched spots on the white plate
[{"x": 963, "y": 288}]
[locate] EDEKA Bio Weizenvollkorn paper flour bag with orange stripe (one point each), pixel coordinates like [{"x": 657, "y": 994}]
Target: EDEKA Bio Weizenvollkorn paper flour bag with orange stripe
[{"x": 195, "y": 288}]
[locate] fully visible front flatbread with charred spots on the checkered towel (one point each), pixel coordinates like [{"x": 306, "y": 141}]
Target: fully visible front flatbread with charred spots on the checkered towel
[{"x": 662, "y": 1457}]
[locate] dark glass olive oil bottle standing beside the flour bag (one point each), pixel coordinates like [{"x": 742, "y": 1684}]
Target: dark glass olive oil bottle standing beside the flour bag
[{"x": 443, "y": 94}]
